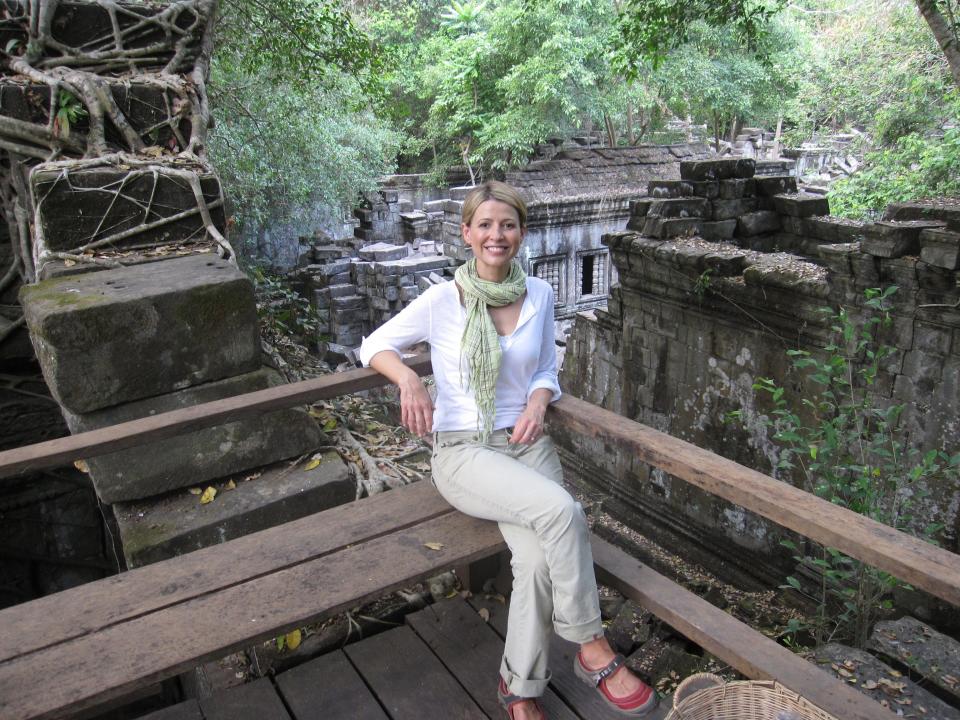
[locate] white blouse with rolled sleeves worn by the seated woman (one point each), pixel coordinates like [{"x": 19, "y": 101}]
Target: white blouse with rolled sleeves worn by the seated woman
[{"x": 436, "y": 316}]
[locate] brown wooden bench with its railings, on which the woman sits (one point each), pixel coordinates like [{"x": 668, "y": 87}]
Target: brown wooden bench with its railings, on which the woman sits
[{"x": 82, "y": 647}]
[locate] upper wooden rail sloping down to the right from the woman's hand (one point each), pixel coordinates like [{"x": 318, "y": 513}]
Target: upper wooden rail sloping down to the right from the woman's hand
[{"x": 919, "y": 563}]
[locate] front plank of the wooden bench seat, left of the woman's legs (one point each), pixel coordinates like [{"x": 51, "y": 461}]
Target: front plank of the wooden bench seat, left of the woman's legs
[{"x": 93, "y": 668}]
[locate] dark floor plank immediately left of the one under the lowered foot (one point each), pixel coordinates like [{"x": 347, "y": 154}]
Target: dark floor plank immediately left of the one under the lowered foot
[{"x": 408, "y": 679}]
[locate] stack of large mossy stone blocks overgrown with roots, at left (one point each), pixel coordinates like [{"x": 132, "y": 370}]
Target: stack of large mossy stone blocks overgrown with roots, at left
[{"x": 131, "y": 293}]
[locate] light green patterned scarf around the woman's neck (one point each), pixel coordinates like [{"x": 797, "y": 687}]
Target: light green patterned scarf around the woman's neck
[{"x": 480, "y": 343}]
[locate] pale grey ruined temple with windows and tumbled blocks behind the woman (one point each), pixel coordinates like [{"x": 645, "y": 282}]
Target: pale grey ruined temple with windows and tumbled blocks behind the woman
[{"x": 408, "y": 237}]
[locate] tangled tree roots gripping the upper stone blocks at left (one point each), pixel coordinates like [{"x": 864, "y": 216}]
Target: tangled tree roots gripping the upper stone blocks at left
[{"x": 76, "y": 89}]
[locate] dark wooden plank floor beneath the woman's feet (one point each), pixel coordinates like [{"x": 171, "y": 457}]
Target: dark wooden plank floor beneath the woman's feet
[{"x": 442, "y": 663}]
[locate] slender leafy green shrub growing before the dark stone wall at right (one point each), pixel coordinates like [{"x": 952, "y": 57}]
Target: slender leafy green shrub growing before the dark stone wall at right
[{"x": 848, "y": 448}]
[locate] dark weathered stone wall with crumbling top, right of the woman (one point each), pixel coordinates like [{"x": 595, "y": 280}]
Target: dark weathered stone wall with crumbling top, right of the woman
[{"x": 693, "y": 323}]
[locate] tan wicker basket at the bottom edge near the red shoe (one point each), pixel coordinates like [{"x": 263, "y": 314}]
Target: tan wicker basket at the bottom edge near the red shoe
[{"x": 707, "y": 697}]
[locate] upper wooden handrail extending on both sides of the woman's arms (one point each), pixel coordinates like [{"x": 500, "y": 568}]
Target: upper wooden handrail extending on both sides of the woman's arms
[{"x": 925, "y": 566}]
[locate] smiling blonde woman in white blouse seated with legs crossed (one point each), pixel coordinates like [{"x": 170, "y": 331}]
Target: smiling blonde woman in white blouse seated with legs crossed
[{"x": 491, "y": 337}]
